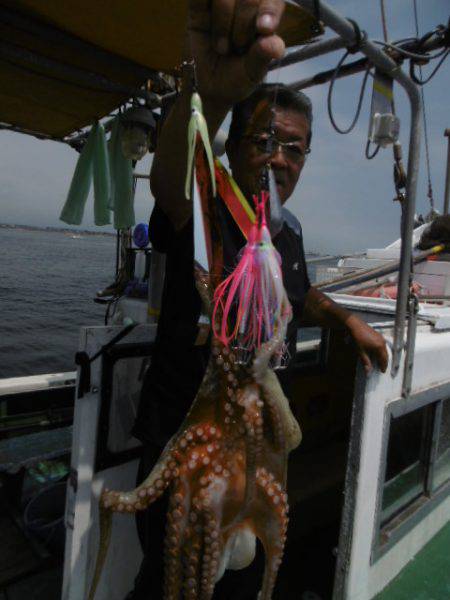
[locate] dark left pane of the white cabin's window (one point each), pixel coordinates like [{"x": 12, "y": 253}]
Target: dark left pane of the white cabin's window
[{"x": 405, "y": 461}]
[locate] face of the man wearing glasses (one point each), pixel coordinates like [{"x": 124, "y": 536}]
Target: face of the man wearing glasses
[{"x": 247, "y": 158}]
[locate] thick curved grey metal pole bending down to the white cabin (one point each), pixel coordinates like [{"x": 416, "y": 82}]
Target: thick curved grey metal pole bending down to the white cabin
[{"x": 346, "y": 30}]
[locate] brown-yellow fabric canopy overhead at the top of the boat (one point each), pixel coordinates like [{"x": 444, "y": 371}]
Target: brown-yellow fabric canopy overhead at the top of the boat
[{"x": 64, "y": 65}]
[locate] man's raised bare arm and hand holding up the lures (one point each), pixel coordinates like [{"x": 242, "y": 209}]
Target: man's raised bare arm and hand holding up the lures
[{"x": 232, "y": 43}]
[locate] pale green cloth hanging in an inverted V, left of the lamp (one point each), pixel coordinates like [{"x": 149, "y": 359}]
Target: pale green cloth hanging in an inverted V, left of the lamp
[{"x": 92, "y": 163}]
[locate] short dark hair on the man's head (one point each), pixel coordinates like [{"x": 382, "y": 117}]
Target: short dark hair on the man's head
[{"x": 277, "y": 94}]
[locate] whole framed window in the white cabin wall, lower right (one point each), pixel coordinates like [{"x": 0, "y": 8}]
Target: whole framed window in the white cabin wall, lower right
[{"x": 416, "y": 473}]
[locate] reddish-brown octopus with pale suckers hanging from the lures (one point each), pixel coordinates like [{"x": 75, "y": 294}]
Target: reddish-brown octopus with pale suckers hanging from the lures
[{"x": 224, "y": 470}]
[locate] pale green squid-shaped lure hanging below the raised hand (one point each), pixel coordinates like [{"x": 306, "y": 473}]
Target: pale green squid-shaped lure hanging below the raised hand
[{"x": 198, "y": 129}]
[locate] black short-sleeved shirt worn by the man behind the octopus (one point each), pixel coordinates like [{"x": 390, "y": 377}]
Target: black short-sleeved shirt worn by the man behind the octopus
[{"x": 178, "y": 366}]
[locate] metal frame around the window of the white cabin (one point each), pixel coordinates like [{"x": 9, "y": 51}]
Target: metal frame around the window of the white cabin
[{"x": 419, "y": 508}]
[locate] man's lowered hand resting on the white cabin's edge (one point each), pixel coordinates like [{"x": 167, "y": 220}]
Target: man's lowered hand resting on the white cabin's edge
[{"x": 370, "y": 344}]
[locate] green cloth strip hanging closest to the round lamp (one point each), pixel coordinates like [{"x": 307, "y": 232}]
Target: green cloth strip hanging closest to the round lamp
[{"x": 122, "y": 193}]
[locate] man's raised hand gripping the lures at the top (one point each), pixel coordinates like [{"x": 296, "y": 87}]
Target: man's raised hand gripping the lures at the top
[{"x": 233, "y": 43}]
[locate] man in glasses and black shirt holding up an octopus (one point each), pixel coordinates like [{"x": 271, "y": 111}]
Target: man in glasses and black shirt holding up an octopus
[{"x": 232, "y": 42}]
